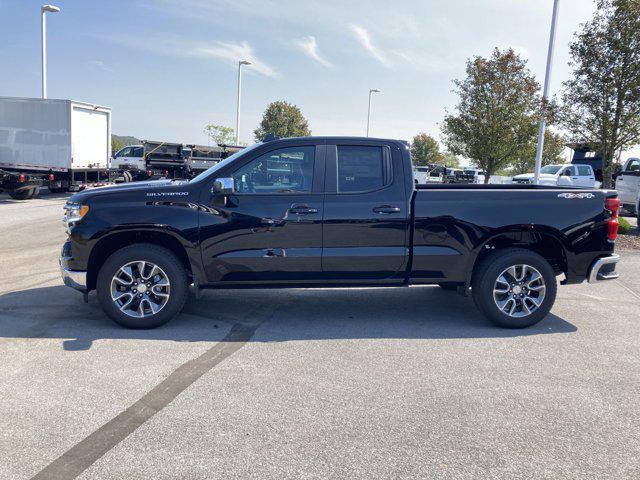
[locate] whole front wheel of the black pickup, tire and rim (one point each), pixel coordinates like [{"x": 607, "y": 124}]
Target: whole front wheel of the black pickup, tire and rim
[{"x": 137, "y": 313}]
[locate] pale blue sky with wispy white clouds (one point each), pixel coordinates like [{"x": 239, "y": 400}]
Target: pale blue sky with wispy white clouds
[{"x": 169, "y": 67}]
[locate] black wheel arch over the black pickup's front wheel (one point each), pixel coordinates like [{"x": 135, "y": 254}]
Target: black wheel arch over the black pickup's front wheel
[{"x": 113, "y": 242}]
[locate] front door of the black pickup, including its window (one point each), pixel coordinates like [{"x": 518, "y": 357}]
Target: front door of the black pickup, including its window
[{"x": 270, "y": 229}]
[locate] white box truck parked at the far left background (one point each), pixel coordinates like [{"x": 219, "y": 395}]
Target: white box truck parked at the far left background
[{"x": 61, "y": 144}]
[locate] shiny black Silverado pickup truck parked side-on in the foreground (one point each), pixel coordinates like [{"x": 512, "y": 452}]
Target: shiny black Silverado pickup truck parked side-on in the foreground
[{"x": 333, "y": 212}]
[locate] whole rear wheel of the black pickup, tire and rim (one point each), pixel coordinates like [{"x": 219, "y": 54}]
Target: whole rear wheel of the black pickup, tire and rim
[{"x": 538, "y": 300}]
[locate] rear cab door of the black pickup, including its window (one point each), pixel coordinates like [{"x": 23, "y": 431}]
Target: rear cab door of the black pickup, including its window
[{"x": 366, "y": 213}]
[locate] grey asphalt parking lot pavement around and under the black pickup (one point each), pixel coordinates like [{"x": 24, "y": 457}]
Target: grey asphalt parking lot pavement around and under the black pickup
[{"x": 363, "y": 383}]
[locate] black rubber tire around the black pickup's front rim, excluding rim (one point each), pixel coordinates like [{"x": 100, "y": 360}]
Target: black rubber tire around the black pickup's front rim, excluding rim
[{"x": 160, "y": 256}]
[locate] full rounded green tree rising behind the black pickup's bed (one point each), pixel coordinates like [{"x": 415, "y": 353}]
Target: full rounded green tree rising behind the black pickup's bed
[{"x": 496, "y": 114}]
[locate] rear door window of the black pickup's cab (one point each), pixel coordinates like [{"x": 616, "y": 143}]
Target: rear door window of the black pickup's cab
[{"x": 360, "y": 168}]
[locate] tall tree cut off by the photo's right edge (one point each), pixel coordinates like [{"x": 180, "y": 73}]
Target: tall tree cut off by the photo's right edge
[{"x": 602, "y": 100}]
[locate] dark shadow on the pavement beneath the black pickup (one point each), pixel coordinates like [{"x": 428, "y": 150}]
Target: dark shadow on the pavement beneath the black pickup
[{"x": 282, "y": 315}]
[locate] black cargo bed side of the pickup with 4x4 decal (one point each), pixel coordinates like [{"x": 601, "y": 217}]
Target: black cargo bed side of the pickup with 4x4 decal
[{"x": 572, "y": 221}]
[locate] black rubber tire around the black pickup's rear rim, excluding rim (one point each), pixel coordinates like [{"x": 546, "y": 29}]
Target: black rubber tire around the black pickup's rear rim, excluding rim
[{"x": 487, "y": 274}]
